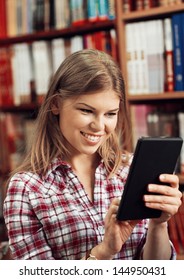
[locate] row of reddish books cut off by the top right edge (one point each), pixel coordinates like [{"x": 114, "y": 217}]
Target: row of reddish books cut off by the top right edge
[{"x": 139, "y": 5}]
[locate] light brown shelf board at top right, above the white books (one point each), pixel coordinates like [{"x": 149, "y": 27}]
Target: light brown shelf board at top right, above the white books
[{"x": 152, "y": 13}]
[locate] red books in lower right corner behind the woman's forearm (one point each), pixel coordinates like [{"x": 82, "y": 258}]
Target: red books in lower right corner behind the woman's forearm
[{"x": 176, "y": 229}]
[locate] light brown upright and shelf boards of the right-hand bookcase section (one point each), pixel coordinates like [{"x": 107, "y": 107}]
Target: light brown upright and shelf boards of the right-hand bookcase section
[{"x": 159, "y": 100}]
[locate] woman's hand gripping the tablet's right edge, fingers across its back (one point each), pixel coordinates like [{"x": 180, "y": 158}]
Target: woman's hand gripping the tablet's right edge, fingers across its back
[{"x": 167, "y": 198}]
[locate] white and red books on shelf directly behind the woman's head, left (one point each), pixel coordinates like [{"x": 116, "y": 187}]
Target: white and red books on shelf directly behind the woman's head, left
[{"x": 24, "y": 64}]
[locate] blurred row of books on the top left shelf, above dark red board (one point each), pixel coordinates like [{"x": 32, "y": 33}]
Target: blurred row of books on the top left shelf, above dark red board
[{"x": 27, "y": 16}]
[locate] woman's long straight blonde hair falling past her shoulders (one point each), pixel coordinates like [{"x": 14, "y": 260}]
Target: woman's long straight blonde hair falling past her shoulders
[{"x": 80, "y": 73}]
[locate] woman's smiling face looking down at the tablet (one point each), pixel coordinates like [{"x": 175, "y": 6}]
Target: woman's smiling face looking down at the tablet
[{"x": 88, "y": 120}]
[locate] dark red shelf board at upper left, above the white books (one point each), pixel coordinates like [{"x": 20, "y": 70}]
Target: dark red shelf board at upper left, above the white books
[{"x": 65, "y": 33}]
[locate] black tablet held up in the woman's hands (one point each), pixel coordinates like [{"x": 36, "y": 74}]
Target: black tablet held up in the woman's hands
[{"x": 153, "y": 156}]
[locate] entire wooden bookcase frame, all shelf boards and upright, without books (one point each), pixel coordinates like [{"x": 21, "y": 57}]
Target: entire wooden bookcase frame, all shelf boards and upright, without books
[{"x": 119, "y": 24}]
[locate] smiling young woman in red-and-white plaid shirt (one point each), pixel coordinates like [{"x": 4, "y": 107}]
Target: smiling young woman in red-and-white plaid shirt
[{"x": 62, "y": 201}]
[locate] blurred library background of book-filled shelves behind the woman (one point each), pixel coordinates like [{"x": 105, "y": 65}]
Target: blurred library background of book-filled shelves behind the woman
[{"x": 145, "y": 38}]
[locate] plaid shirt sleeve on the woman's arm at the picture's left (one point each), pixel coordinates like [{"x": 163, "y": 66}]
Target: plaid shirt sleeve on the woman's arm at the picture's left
[{"x": 26, "y": 236}]
